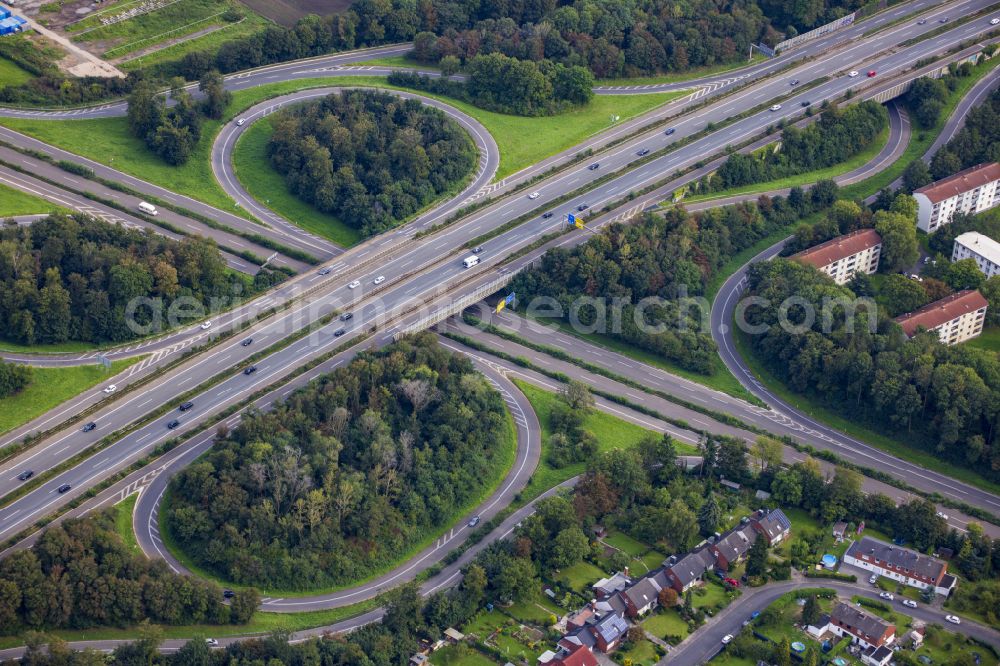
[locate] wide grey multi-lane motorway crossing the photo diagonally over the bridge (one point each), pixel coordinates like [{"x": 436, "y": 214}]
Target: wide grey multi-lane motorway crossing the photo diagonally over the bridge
[{"x": 435, "y": 270}]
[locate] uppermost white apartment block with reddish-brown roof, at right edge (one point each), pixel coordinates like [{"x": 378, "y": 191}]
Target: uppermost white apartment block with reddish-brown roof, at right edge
[{"x": 972, "y": 190}]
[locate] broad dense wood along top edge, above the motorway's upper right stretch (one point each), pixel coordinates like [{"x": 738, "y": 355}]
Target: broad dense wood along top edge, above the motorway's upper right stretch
[{"x": 633, "y": 38}]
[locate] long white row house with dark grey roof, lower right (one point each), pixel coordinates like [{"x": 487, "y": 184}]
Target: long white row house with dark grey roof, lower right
[{"x": 901, "y": 564}]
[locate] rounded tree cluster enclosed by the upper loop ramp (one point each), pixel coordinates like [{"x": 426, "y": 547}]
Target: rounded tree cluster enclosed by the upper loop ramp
[{"x": 371, "y": 158}]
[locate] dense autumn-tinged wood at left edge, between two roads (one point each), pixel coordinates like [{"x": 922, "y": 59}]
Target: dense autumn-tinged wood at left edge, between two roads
[{"x": 72, "y": 278}]
